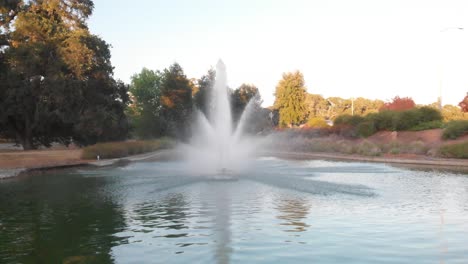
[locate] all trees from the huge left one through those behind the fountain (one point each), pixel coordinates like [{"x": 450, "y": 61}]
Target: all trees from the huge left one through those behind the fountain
[{"x": 57, "y": 84}]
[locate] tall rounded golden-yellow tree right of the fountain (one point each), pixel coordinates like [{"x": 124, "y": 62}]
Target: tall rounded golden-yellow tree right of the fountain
[{"x": 290, "y": 99}]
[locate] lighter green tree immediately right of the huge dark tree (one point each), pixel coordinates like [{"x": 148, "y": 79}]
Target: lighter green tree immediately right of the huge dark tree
[{"x": 145, "y": 112}]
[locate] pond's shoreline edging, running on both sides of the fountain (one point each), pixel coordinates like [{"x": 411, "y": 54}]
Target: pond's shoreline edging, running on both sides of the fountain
[{"x": 422, "y": 162}]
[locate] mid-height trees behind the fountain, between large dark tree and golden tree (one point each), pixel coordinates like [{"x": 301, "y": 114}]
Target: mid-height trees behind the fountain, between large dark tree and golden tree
[{"x": 164, "y": 103}]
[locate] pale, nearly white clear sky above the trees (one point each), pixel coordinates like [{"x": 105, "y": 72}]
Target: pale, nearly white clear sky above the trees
[{"x": 376, "y": 49}]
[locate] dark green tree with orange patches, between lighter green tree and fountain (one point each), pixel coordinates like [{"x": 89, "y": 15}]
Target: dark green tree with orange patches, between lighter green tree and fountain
[{"x": 176, "y": 101}]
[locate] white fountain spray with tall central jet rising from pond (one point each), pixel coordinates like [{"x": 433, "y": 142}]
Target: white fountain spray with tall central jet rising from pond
[{"x": 216, "y": 147}]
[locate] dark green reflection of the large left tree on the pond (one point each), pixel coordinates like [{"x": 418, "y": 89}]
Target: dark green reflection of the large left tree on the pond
[{"x": 39, "y": 224}]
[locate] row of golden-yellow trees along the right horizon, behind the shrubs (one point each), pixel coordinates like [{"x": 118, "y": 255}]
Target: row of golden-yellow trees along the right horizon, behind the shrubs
[{"x": 294, "y": 107}]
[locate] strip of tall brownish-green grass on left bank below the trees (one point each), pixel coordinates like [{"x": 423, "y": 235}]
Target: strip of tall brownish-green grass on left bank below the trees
[{"x": 112, "y": 150}]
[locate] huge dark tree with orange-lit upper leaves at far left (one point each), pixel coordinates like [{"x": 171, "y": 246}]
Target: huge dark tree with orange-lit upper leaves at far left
[{"x": 56, "y": 81}]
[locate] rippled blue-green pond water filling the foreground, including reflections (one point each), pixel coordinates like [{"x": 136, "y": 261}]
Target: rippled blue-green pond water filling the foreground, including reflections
[{"x": 278, "y": 212}]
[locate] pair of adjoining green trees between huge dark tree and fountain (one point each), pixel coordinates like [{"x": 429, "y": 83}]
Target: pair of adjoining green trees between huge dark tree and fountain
[{"x": 162, "y": 103}]
